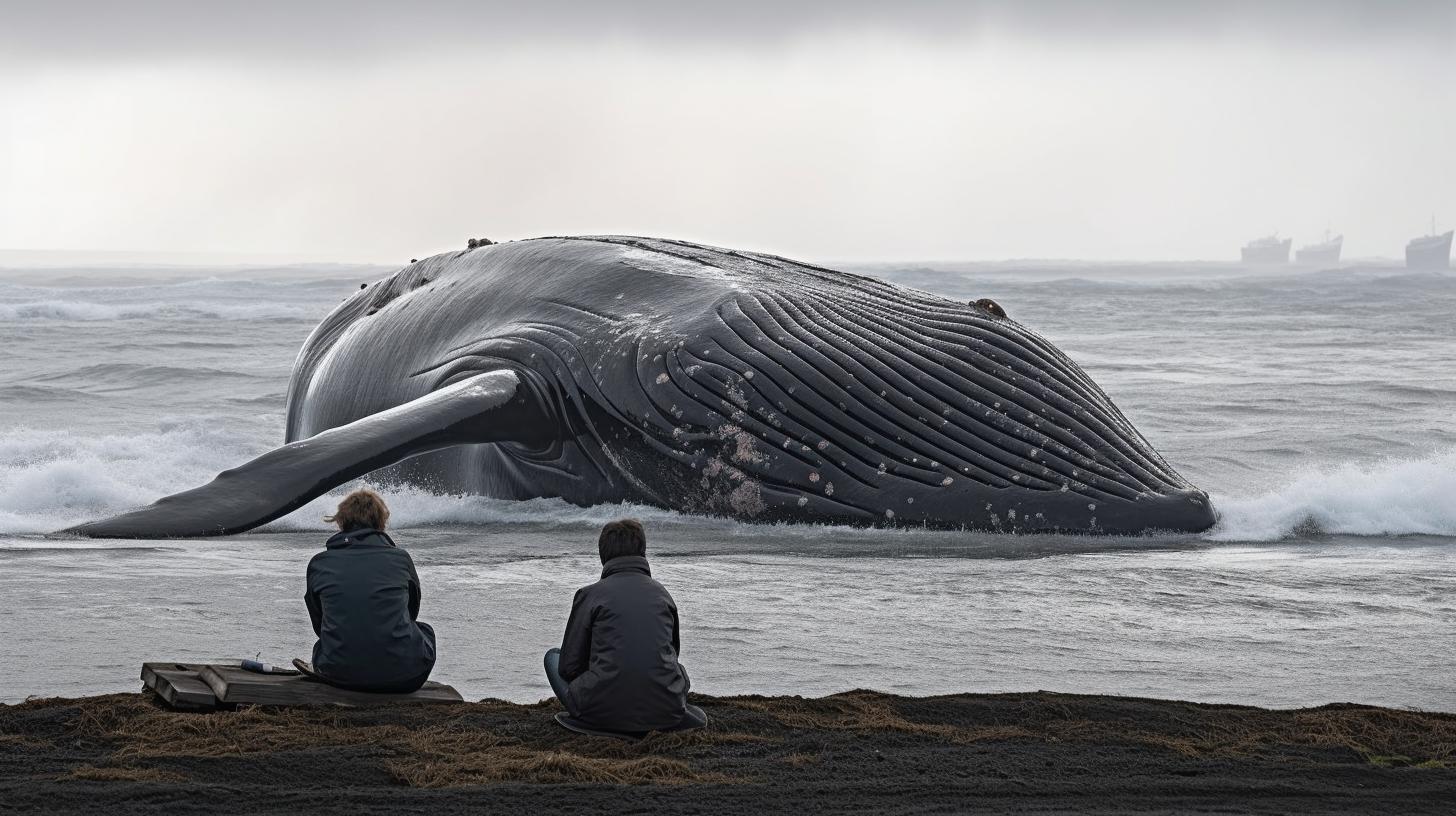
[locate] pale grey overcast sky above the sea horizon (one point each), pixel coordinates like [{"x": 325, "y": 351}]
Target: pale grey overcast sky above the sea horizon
[{"x": 825, "y": 130}]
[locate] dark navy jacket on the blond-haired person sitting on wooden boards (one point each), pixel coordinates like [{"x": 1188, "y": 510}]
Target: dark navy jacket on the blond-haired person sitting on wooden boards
[{"x": 365, "y": 598}]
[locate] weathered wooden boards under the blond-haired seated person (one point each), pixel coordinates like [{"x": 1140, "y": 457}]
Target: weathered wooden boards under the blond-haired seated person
[{"x": 207, "y": 687}]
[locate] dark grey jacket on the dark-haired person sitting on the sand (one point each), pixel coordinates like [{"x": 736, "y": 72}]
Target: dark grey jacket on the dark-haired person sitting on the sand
[{"x": 620, "y": 655}]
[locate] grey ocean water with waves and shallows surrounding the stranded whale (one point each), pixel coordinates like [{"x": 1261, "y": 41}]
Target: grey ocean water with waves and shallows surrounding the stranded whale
[{"x": 1315, "y": 407}]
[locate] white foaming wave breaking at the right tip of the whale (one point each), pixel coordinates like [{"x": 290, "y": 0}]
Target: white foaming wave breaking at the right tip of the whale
[{"x": 1382, "y": 499}]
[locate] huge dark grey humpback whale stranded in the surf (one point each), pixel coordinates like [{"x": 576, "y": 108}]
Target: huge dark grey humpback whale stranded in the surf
[{"x": 609, "y": 369}]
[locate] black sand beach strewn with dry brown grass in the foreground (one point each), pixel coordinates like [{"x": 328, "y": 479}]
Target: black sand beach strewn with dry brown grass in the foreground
[{"x": 857, "y": 753}]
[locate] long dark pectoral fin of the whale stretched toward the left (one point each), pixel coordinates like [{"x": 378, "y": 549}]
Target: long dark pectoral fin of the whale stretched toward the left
[{"x": 490, "y": 407}]
